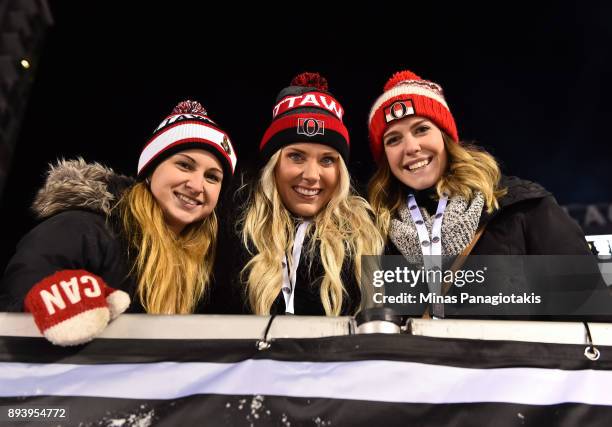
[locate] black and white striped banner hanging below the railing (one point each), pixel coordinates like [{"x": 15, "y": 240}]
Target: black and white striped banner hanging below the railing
[{"x": 359, "y": 380}]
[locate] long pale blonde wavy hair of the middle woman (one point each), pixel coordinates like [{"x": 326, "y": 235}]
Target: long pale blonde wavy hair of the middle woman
[{"x": 343, "y": 228}]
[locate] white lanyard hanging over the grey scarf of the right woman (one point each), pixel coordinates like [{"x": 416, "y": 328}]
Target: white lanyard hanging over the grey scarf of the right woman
[{"x": 430, "y": 245}]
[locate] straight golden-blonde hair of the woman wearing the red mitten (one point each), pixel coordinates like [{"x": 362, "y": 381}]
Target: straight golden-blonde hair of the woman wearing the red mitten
[{"x": 173, "y": 272}]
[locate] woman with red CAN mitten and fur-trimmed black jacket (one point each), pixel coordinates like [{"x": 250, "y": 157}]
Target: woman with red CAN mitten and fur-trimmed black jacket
[{"x": 152, "y": 240}]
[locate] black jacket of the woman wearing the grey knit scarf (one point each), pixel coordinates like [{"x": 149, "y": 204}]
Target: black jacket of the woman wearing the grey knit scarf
[{"x": 530, "y": 222}]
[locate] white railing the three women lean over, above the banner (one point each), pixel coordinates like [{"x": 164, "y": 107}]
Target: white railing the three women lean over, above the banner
[{"x": 253, "y": 327}]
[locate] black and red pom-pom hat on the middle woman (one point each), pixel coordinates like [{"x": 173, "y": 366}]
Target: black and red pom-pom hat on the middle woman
[{"x": 306, "y": 112}]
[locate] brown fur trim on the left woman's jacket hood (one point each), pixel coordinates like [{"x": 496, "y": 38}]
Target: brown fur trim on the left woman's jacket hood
[{"x": 76, "y": 184}]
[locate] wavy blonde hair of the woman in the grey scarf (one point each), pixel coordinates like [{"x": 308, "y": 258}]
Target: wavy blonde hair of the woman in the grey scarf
[{"x": 469, "y": 169}]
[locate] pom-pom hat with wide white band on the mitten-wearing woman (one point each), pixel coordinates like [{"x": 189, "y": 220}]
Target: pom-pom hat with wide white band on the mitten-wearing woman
[{"x": 188, "y": 126}]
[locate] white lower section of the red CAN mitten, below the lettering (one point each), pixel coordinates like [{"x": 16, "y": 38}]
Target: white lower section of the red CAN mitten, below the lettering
[{"x": 79, "y": 329}]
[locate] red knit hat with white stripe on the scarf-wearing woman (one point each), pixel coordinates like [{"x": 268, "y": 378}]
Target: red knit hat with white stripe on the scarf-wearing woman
[{"x": 406, "y": 94}]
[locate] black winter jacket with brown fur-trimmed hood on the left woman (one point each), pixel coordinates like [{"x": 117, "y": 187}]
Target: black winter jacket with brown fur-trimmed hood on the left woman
[{"x": 77, "y": 231}]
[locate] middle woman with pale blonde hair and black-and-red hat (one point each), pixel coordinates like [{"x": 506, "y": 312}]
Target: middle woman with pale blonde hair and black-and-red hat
[{"x": 303, "y": 227}]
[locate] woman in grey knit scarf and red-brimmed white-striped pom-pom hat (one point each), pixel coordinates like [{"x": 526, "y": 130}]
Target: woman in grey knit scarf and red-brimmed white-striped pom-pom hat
[{"x": 435, "y": 195}]
